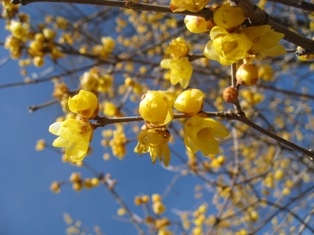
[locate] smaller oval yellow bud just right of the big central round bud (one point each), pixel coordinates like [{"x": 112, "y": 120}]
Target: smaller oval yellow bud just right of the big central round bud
[{"x": 190, "y": 102}]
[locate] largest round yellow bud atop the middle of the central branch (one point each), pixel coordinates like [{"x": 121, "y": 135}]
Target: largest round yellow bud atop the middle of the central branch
[{"x": 156, "y": 107}]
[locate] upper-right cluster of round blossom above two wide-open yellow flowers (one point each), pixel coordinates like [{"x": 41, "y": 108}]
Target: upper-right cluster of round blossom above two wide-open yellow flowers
[{"x": 230, "y": 42}]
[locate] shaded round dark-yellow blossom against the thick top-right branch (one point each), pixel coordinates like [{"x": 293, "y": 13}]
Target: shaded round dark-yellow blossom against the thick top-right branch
[{"x": 228, "y": 17}]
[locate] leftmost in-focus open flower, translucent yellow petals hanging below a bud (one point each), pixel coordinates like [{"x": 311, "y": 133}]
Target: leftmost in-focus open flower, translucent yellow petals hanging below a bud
[{"x": 74, "y": 136}]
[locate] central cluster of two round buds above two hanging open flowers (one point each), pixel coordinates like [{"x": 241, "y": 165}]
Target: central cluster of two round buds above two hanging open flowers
[{"x": 200, "y": 132}]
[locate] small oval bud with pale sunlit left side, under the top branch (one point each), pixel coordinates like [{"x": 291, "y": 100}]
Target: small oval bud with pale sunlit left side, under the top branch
[{"x": 197, "y": 24}]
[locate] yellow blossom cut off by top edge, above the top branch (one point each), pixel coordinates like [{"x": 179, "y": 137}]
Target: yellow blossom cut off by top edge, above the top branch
[{"x": 189, "y": 5}]
